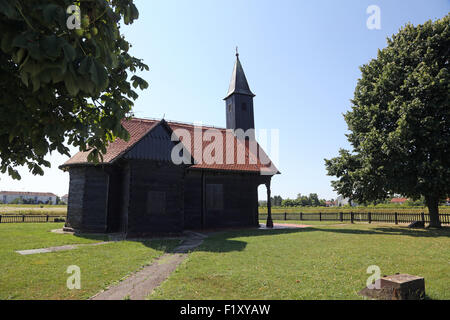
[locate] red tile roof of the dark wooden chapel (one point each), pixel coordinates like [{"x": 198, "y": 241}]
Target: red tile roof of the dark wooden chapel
[{"x": 138, "y": 129}]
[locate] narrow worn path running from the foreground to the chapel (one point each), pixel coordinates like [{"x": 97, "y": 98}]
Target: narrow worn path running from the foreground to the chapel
[{"x": 139, "y": 285}]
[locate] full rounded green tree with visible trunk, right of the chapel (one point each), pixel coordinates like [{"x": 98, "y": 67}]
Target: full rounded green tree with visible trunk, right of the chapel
[{"x": 400, "y": 122}]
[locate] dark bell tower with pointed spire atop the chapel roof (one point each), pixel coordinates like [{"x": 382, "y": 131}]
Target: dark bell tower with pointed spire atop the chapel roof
[{"x": 239, "y": 100}]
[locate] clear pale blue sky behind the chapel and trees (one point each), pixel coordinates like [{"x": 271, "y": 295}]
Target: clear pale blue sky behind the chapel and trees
[{"x": 301, "y": 59}]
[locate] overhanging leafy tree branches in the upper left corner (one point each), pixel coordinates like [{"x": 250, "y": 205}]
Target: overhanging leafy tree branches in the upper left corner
[{"x": 65, "y": 77}]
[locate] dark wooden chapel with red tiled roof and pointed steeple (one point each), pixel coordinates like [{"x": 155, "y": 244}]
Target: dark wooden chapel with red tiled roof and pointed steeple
[{"x": 171, "y": 176}]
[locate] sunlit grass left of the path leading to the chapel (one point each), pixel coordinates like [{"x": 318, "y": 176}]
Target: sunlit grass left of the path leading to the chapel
[{"x": 43, "y": 276}]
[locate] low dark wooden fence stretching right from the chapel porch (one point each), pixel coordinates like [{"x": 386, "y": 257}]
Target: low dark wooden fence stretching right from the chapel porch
[{"x": 386, "y": 217}]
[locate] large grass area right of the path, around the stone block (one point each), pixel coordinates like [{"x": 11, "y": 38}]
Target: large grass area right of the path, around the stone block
[{"x": 327, "y": 261}]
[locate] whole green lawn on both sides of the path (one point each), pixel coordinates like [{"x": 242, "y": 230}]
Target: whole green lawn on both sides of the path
[{"x": 327, "y": 261}]
